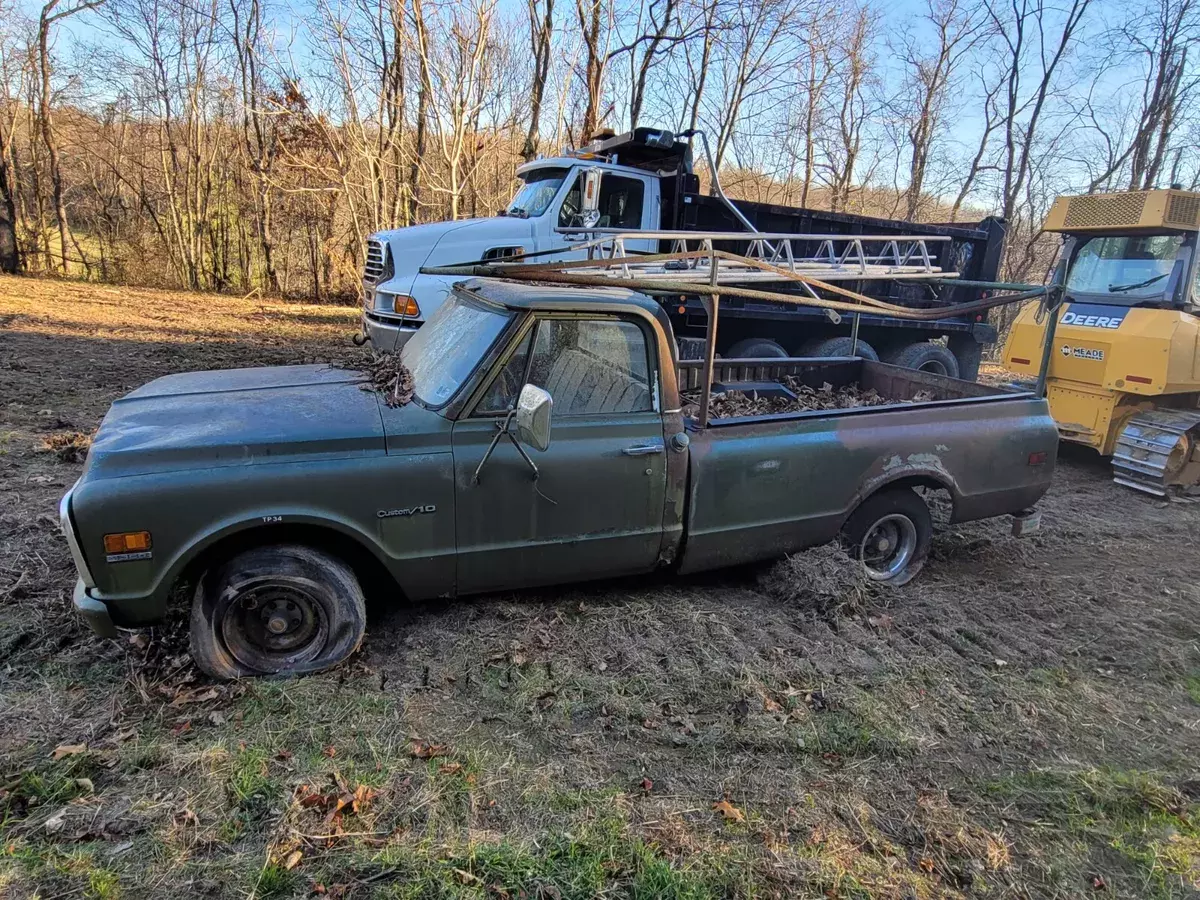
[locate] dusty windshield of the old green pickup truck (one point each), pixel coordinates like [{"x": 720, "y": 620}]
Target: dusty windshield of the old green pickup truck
[{"x": 446, "y": 351}]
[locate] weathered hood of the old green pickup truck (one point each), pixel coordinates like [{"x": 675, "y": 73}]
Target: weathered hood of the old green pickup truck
[{"x": 238, "y": 417}]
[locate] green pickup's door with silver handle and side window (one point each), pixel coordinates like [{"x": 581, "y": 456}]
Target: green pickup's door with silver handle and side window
[{"x": 596, "y": 509}]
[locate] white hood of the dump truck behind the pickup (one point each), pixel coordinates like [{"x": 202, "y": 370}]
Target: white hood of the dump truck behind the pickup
[{"x": 448, "y": 243}]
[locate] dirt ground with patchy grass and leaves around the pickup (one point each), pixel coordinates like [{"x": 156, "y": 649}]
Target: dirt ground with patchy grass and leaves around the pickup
[{"x": 1022, "y": 722}]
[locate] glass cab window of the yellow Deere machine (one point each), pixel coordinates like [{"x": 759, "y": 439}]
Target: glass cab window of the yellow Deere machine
[{"x": 1126, "y": 269}]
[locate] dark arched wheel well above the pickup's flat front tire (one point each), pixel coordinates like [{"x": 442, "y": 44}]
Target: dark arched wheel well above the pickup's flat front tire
[{"x": 373, "y": 575}]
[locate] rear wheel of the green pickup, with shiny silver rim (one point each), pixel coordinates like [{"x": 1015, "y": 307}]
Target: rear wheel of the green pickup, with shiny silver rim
[{"x": 891, "y": 533}]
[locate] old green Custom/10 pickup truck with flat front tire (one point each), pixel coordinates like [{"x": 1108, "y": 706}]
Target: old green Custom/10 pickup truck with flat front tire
[{"x": 547, "y": 442}]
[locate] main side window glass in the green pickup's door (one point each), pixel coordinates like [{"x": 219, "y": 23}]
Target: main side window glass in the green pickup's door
[{"x": 592, "y": 368}]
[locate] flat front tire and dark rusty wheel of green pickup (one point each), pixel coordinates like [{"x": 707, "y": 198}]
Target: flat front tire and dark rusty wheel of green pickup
[{"x": 284, "y": 609}]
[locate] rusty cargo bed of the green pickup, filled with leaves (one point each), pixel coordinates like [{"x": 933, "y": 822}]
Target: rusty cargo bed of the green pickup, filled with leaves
[{"x": 766, "y": 485}]
